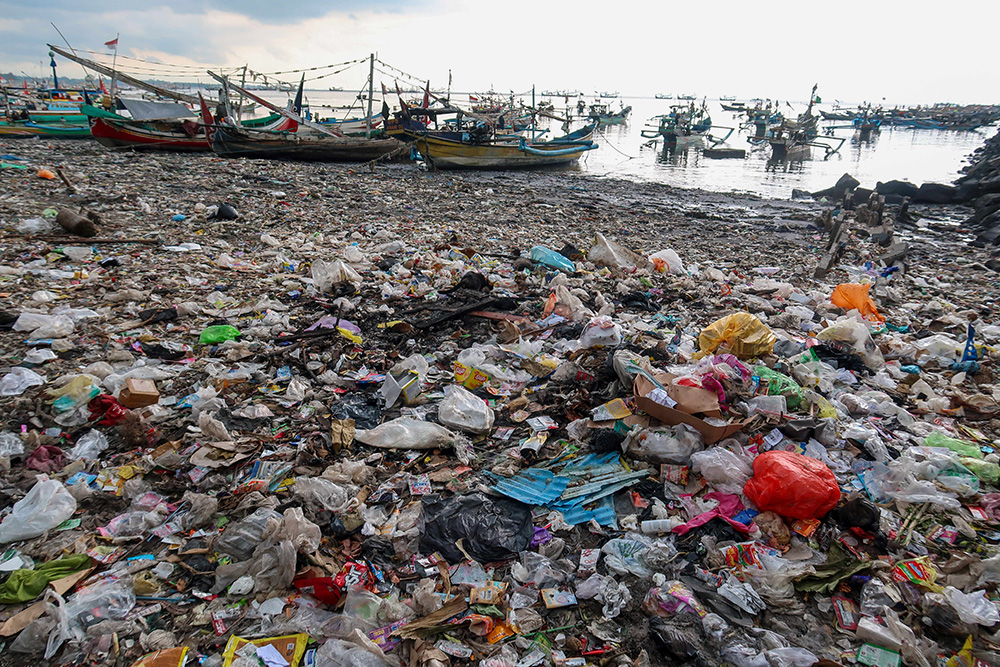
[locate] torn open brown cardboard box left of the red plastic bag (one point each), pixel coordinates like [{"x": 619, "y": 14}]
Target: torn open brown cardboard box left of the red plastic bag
[{"x": 692, "y": 406}]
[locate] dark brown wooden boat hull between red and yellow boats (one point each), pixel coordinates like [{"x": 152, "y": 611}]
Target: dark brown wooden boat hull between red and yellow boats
[{"x": 287, "y": 146}]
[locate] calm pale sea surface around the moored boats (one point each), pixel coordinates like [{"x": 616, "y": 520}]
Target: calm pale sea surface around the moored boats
[{"x": 893, "y": 153}]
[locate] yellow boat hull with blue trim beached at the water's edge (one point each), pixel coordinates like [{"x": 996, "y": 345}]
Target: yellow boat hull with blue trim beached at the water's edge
[{"x": 505, "y": 151}]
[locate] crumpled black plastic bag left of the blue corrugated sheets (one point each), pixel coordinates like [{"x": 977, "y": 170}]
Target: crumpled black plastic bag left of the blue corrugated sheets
[{"x": 491, "y": 529}]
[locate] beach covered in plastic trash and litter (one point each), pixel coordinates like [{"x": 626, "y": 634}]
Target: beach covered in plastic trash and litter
[{"x": 285, "y": 414}]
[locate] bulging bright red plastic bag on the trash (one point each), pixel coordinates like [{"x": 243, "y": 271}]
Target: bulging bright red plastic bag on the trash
[{"x": 792, "y": 485}]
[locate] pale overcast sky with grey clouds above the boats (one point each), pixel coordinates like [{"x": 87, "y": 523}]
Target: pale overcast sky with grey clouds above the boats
[{"x": 904, "y": 51}]
